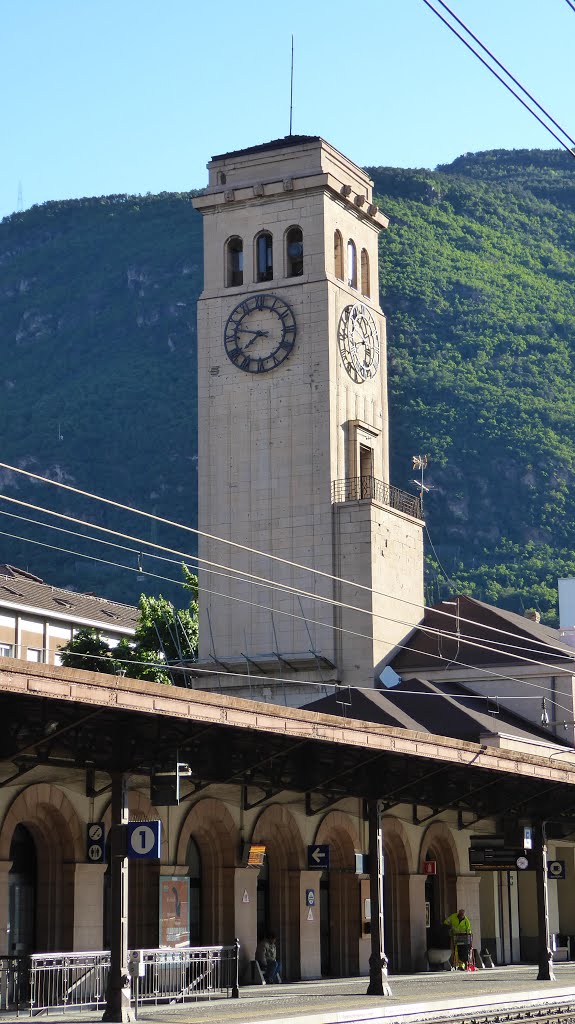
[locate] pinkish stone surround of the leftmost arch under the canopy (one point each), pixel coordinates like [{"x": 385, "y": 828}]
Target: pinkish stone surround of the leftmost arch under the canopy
[{"x": 55, "y": 826}]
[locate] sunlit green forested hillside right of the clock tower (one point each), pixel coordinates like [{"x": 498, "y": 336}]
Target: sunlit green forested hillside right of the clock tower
[{"x": 478, "y": 282}]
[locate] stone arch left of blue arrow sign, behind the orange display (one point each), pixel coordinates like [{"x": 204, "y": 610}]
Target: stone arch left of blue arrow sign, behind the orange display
[{"x": 277, "y": 828}]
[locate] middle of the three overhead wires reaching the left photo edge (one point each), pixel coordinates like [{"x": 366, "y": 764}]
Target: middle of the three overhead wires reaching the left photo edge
[{"x": 252, "y": 580}]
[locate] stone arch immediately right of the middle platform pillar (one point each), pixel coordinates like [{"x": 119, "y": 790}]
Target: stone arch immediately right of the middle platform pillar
[{"x": 399, "y": 860}]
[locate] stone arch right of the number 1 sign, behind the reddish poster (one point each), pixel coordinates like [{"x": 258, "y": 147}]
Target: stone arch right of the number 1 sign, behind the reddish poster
[{"x": 213, "y": 829}]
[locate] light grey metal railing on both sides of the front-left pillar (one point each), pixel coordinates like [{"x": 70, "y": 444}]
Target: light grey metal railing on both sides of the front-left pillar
[{"x": 80, "y": 980}]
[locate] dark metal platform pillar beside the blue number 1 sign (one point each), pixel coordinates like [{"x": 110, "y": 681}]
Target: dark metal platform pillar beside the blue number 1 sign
[{"x": 118, "y": 1007}]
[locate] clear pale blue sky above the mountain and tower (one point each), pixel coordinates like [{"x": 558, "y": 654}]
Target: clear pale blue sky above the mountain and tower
[{"x": 105, "y": 97}]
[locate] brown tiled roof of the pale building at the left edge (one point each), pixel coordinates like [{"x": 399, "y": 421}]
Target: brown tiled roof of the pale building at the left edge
[{"x": 28, "y": 591}]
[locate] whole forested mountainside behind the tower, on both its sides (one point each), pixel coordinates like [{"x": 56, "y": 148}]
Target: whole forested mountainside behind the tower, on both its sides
[{"x": 98, "y": 333}]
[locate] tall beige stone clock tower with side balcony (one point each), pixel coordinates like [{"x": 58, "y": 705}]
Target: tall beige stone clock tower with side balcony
[{"x": 327, "y": 575}]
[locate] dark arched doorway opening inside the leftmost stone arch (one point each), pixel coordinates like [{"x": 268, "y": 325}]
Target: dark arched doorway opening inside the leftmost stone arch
[{"x": 23, "y": 883}]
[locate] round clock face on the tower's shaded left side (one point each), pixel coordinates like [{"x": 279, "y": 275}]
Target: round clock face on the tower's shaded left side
[{"x": 260, "y": 334}]
